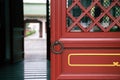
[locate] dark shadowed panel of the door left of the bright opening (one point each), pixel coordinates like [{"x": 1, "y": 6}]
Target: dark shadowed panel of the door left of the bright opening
[{"x": 18, "y": 45}]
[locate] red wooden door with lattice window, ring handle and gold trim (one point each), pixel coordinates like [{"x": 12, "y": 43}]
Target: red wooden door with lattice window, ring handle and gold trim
[{"x": 85, "y": 39}]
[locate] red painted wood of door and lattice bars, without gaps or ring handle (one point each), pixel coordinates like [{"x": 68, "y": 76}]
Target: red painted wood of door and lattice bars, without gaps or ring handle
[{"x": 83, "y": 43}]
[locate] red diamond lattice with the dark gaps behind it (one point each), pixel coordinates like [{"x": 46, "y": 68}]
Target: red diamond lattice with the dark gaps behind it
[{"x": 93, "y": 16}]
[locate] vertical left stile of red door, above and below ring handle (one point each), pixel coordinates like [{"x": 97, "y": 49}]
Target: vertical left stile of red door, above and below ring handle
[{"x": 56, "y": 27}]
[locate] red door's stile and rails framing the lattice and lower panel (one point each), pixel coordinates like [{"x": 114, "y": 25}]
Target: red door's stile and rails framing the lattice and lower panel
[{"x": 86, "y": 42}]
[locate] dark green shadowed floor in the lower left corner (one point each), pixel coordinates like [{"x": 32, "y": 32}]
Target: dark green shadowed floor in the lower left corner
[{"x": 12, "y": 72}]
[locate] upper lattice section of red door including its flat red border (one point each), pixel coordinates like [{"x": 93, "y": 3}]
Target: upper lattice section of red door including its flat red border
[{"x": 80, "y": 26}]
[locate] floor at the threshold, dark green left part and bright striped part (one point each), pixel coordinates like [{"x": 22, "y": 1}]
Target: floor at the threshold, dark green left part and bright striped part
[{"x": 24, "y": 71}]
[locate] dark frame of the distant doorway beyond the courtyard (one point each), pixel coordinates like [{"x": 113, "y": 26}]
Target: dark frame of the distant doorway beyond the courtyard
[{"x": 34, "y": 21}]
